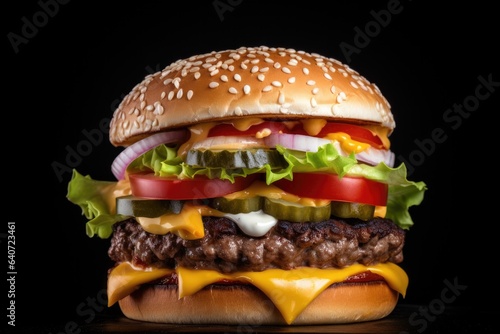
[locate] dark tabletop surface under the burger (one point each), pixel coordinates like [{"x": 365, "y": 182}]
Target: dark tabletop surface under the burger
[{"x": 404, "y": 319}]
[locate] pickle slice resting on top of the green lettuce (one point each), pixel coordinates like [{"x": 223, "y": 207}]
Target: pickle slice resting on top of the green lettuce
[{"x": 255, "y": 158}]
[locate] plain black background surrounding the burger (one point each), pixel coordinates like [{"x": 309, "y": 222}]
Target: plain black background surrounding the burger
[{"x": 68, "y": 74}]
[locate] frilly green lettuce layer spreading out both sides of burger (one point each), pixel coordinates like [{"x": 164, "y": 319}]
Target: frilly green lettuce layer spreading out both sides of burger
[{"x": 97, "y": 198}]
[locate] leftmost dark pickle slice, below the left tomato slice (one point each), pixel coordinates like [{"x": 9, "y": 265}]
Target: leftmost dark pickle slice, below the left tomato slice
[{"x": 150, "y": 208}]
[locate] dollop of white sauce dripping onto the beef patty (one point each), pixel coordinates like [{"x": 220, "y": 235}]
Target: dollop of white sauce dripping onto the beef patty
[{"x": 255, "y": 224}]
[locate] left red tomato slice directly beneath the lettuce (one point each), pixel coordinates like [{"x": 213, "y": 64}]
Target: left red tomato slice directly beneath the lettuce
[{"x": 150, "y": 186}]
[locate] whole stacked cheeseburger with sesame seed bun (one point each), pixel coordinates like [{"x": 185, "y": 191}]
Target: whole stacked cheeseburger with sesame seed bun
[{"x": 256, "y": 186}]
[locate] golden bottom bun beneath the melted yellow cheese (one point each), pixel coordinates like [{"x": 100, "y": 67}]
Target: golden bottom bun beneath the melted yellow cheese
[{"x": 245, "y": 304}]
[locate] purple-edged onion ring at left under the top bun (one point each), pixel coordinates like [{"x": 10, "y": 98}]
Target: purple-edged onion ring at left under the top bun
[{"x": 129, "y": 154}]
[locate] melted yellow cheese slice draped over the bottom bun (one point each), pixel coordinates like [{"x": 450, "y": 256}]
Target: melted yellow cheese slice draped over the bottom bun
[{"x": 290, "y": 290}]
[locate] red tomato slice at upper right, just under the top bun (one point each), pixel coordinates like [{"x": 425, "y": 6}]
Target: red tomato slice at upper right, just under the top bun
[{"x": 356, "y": 132}]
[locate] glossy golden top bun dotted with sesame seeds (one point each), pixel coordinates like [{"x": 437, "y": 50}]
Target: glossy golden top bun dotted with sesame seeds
[{"x": 252, "y": 82}]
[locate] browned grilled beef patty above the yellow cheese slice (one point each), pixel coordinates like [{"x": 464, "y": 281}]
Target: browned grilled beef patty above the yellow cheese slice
[{"x": 329, "y": 244}]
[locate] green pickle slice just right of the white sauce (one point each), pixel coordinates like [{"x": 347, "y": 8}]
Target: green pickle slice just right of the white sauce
[{"x": 295, "y": 212}]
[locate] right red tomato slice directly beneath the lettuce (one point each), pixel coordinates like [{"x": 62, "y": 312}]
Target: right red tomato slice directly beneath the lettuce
[{"x": 331, "y": 187}]
